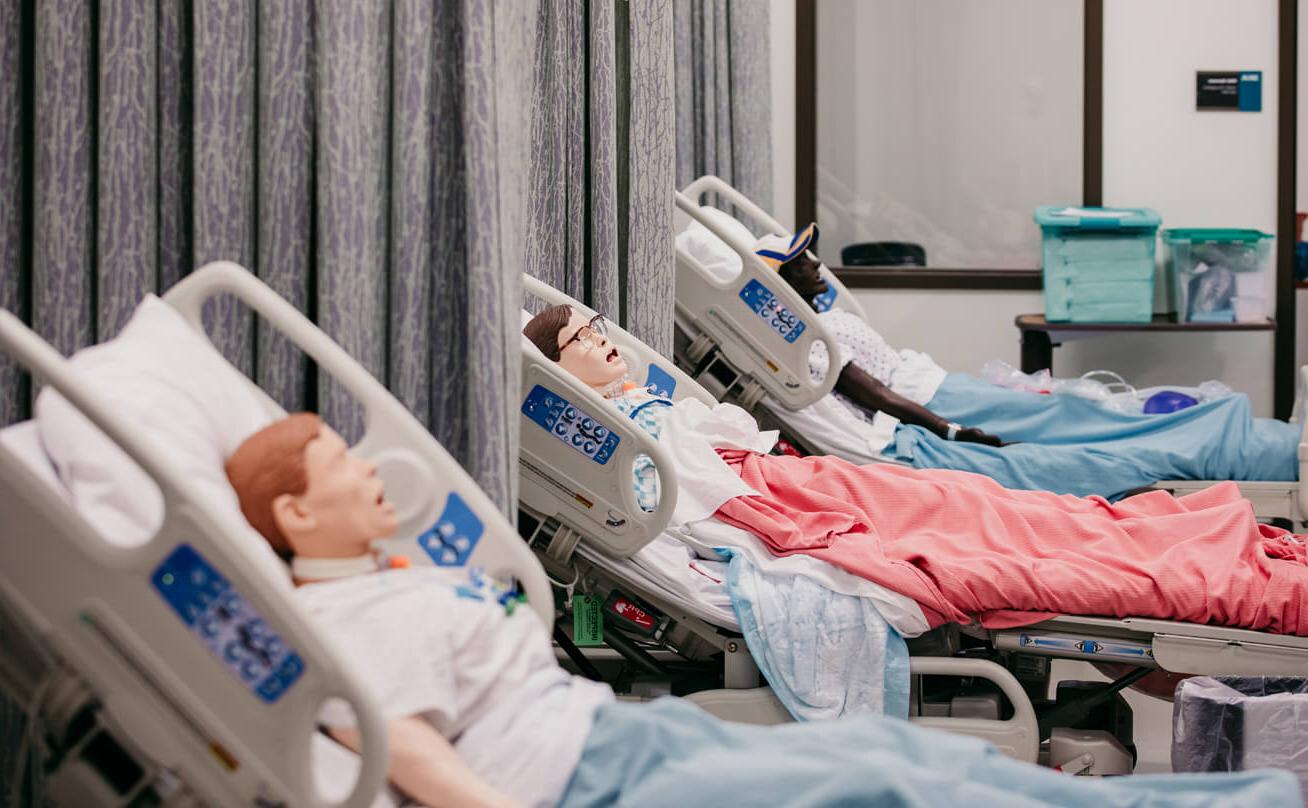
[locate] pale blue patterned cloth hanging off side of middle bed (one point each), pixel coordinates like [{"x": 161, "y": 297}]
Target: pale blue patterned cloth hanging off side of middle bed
[{"x": 823, "y": 653}]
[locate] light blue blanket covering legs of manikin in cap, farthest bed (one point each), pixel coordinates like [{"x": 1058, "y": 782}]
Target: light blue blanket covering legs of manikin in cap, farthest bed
[{"x": 1076, "y": 446}]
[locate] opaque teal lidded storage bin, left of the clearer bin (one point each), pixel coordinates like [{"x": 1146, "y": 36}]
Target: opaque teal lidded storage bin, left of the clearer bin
[{"x": 1098, "y": 263}]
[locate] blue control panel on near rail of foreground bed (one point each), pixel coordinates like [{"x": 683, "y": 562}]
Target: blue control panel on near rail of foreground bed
[{"x": 227, "y": 624}]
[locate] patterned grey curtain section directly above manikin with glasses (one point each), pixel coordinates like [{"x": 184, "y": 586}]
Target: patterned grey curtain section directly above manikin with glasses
[{"x": 602, "y": 172}]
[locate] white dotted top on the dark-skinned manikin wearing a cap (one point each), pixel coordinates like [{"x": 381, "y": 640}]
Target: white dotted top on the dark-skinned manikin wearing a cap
[{"x": 910, "y": 373}]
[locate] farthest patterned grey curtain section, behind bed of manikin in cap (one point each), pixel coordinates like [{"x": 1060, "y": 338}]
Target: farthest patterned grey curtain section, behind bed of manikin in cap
[{"x": 724, "y": 95}]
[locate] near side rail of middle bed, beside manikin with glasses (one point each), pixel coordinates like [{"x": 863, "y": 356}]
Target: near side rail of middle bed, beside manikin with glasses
[{"x": 577, "y": 460}]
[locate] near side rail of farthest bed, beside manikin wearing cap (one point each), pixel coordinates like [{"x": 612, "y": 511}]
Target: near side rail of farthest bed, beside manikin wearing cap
[{"x": 761, "y": 325}]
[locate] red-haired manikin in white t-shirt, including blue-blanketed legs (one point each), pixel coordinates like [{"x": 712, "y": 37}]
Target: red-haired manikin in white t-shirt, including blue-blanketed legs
[{"x": 481, "y": 715}]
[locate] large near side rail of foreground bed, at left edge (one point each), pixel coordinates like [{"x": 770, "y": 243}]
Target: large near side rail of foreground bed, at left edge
[{"x": 196, "y": 653}]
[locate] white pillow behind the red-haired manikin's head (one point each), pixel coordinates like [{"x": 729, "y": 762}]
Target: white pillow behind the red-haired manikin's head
[{"x": 172, "y": 385}]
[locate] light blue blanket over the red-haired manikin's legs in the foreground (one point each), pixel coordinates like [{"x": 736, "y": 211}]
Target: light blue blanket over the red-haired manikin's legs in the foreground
[{"x": 669, "y": 752}]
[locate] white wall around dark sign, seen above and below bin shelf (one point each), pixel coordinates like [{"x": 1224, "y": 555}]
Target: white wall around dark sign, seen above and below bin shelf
[{"x": 1197, "y": 169}]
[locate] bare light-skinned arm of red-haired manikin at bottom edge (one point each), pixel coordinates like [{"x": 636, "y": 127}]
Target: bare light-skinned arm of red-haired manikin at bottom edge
[{"x": 427, "y": 768}]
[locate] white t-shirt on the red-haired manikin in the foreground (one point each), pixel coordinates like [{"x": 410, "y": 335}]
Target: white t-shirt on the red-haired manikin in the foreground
[{"x": 487, "y": 682}]
